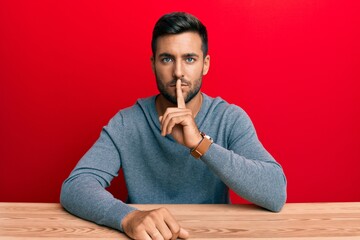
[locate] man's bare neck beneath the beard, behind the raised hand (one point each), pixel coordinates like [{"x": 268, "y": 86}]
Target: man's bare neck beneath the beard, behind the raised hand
[{"x": 194, "y": 105}]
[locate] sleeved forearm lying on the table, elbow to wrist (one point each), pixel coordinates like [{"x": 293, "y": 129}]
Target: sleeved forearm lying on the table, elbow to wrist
[{"x": 85, "y": 197}]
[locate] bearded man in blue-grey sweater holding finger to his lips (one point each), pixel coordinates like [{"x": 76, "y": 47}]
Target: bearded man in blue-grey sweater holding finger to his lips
[{"x": 162, "y": 144}]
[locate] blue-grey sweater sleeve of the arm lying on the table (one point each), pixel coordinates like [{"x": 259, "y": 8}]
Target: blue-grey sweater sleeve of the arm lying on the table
[{"x": 83, "y": 193}]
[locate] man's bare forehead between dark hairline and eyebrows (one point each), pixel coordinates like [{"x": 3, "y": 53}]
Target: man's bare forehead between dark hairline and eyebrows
[{"x": 179, "y": 44}]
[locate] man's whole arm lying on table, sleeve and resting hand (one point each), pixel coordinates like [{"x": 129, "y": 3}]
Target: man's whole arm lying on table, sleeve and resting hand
[{"x": 83, "y": 194}]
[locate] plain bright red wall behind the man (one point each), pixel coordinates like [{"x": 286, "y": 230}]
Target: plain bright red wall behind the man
[{"x": 66, "y": 67}]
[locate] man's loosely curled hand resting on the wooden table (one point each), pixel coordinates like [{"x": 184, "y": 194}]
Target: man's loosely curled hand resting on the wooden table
[{"x": 156, "y": 224}]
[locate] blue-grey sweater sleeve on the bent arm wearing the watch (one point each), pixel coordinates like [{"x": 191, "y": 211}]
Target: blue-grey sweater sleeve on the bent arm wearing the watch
[{"x": 246, "y": 167}]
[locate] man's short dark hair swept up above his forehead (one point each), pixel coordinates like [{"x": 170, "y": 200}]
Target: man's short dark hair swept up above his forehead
[{"x": 179, "y": 22}]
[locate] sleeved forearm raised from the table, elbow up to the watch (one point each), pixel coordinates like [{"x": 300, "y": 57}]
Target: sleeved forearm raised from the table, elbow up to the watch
[{"x": 260, "y": 181}]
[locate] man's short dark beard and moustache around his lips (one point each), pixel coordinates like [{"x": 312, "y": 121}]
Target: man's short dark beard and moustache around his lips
[{"x": 171, "y": 96}]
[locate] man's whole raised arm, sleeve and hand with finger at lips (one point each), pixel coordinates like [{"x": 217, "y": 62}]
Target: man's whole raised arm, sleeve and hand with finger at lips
[{"x": 244, "y": 166}]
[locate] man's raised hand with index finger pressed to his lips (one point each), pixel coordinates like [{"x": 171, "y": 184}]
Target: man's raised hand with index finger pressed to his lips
[{"x": 180, "y": 122}]
